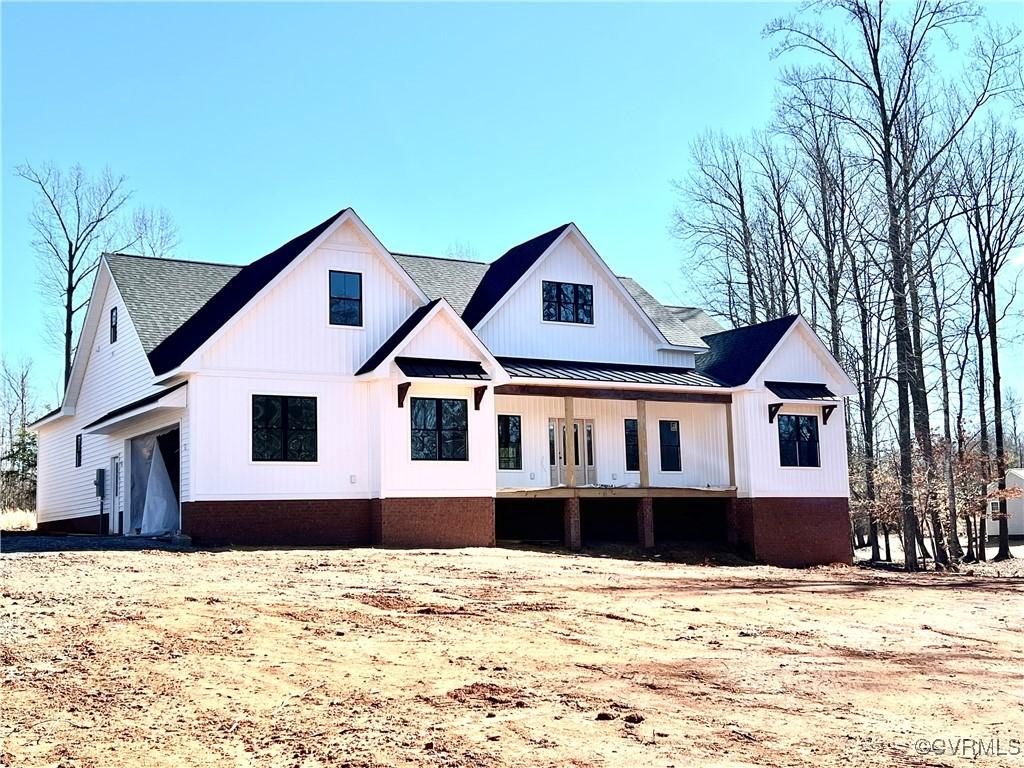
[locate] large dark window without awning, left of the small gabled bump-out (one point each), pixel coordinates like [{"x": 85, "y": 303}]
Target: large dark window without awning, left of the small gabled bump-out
[{"x": 284, "y": 429}]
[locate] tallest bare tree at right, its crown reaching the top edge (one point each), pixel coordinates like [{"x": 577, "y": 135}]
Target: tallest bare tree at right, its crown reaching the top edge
[{"x": 877, "y": 59}]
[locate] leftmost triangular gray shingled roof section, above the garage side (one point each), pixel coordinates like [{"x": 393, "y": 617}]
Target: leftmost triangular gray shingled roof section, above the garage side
[{"x": 161, "y": 294}]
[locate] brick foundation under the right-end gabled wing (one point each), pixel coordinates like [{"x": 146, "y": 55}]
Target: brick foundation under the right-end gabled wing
[{"x": 792, "y": 533}]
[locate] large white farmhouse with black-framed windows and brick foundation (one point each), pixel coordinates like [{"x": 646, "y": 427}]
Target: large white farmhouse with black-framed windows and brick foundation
[{"x": 336, "y": 393}]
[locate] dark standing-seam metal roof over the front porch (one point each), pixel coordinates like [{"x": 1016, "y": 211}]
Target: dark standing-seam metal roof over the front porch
[{"x": 620, "y": 373}]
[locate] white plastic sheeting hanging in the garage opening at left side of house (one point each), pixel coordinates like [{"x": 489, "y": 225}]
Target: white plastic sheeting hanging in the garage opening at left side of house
[{"x": 154, "y": 499}]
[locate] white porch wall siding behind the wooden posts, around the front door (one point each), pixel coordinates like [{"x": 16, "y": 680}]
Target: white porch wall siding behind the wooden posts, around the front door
[{"x": 703, "y": 442}]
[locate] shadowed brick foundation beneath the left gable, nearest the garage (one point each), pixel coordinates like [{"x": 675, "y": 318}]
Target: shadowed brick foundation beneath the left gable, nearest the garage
[{"x": 296, "y": 523}]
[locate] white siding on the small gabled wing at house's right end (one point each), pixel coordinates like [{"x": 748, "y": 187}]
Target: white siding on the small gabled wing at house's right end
[{"x": 759, "y": 470}]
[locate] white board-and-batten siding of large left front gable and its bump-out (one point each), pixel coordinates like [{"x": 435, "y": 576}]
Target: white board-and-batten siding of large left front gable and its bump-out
[{"x": 285, "y": 346}]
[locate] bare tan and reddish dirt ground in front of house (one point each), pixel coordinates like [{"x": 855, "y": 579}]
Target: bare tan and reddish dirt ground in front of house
[{"x": 499, "y": 658}]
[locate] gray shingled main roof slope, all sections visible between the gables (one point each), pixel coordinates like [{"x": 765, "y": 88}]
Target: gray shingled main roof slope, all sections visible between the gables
[{"x": 162, "y": 294}]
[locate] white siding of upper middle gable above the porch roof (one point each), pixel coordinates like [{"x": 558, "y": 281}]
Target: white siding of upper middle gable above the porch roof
[{"x": 619, "y": 333}]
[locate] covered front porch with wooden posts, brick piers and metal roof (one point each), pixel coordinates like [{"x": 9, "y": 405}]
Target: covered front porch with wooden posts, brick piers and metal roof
[{"x": 639, "y": 461}]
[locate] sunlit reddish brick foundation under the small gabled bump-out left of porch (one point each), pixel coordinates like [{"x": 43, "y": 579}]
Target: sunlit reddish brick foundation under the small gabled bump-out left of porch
[{"x": 450, "y": 522}]
